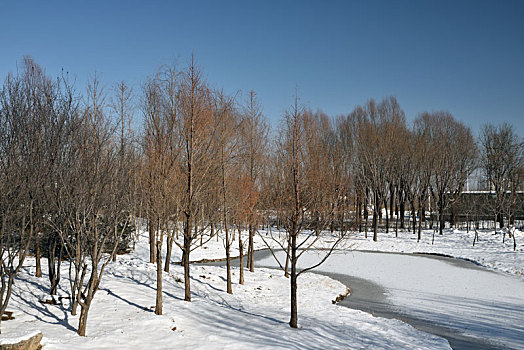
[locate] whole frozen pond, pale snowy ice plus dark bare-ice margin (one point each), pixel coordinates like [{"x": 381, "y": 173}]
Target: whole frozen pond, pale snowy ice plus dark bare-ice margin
[{"x": 470, "y": 306}]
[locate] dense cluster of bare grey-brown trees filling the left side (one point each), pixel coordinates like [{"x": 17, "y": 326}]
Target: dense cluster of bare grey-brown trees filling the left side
[{"x": 66, "y": 183}]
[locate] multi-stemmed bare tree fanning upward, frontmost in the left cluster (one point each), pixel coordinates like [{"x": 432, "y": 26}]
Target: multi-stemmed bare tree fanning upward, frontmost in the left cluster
[{"x": 91, "y": 189}]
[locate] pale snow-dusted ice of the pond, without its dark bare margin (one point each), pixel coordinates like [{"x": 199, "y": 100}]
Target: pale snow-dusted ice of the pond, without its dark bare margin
[{"x": 474, "y": 302}]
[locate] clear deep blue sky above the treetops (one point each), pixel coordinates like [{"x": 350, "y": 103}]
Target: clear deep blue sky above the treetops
[{"x": 463, "y": 56}]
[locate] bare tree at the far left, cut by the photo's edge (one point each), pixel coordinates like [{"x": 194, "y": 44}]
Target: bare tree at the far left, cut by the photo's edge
[{"x": 19, "y": 120}]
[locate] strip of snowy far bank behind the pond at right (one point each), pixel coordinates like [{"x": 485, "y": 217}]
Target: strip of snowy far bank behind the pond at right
[{"x": 489, "y": 251}]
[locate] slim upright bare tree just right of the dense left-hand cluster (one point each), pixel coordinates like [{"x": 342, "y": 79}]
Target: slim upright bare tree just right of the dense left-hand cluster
[{"x": 161, "y": 150}]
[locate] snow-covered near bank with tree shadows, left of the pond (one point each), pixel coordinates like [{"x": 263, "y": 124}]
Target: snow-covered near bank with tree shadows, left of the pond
[{"x": 255, "y": 316}]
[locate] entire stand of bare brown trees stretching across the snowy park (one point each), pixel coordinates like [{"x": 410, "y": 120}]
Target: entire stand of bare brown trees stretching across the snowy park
[{"x": 76, "y": 182}]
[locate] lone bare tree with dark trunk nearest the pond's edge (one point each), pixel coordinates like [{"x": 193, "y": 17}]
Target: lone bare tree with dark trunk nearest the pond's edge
[{"x": 293, "y": 198}]
